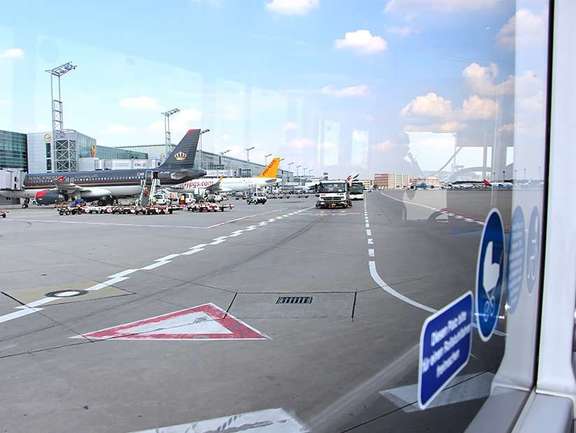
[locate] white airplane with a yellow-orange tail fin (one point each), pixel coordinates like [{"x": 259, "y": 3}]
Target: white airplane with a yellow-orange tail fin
[{"x": 234, "y": 184}]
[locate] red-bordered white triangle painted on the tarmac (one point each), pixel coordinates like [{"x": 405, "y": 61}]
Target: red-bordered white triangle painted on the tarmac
[{"x": 203, "y": 322}]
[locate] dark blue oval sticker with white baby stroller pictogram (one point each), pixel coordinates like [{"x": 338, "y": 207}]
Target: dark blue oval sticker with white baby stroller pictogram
[{"x": 489, "y": 275}]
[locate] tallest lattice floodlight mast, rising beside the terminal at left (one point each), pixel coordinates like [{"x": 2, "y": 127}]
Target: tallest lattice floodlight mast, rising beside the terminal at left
[{"x": 57, "y": 109}]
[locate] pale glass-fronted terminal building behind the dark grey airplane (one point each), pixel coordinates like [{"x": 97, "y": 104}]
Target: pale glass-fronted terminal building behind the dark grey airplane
[{"x": 67, "y": 151}]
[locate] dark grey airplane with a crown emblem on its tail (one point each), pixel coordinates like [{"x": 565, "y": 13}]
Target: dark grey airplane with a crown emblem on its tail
[{"x": 107, "y": 185}]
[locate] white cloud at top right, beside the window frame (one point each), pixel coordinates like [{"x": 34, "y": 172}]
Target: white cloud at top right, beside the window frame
[{"x": 531, "y": 29}]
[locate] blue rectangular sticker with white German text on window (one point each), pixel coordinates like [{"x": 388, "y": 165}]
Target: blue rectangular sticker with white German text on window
[{"x": 445, "y": 346}]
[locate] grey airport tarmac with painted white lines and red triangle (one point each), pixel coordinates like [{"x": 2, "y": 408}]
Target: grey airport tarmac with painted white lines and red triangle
[{"x": 343, "y": 360}]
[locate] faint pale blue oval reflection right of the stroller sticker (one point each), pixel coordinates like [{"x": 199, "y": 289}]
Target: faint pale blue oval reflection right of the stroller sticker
[{"x": 516, "y": 253}]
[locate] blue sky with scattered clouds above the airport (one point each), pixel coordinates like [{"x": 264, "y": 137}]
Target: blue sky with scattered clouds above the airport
[{"x": 330, "y": 85}]
